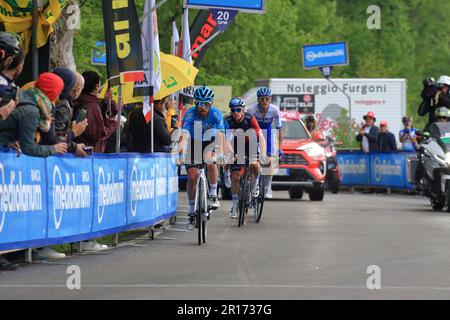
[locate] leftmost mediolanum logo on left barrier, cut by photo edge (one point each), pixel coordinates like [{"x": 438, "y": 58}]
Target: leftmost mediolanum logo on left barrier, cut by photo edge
[{"x": 16, "y": 196}]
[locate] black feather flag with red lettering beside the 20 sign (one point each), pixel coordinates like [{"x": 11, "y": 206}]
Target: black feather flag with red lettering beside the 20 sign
[{"x": 202, "y": 29}]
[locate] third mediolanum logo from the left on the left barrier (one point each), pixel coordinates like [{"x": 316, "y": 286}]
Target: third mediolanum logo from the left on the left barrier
[{"x": 109, "y": 192}]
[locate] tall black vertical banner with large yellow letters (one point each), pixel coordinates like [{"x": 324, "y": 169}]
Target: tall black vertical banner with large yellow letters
[{"x": 123, "y": 42}]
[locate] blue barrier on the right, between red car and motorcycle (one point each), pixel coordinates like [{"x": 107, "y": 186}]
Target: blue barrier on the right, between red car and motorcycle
[{"x": 386, "y": 170}]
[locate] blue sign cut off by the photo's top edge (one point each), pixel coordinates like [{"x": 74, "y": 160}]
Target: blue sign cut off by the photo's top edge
[{"x": 254, "y": 6}]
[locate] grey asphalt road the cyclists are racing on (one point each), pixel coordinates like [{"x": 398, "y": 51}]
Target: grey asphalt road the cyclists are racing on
[{"x": 301, "y": 250}]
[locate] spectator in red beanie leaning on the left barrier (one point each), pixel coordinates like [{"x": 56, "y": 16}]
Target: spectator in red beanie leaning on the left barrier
[{"x": 32, "y": 113}]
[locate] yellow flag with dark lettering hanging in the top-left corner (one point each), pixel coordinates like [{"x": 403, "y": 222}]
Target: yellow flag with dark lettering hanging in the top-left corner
[{"x": 17, "y": 17}]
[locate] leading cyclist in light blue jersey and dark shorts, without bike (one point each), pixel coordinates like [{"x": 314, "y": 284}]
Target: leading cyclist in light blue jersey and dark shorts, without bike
[{"x": 202, "y": 140}]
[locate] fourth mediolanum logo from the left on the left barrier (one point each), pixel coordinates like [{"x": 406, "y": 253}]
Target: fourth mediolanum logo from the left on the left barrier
[{"x": 142, "y": 188}]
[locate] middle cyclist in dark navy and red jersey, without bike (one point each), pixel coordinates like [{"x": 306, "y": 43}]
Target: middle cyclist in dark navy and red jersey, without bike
[{"x": 242, "y": 133}]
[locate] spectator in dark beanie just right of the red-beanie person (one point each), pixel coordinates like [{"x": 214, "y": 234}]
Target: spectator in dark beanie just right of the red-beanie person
[{"x": 66, "y": 128}]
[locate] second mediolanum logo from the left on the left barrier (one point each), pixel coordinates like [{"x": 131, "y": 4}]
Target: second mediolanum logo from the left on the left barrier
[{"x": 68, "y": 195}]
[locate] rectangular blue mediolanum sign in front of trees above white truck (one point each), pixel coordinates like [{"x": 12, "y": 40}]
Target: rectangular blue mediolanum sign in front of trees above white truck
[{"x": 325, "y": 55}]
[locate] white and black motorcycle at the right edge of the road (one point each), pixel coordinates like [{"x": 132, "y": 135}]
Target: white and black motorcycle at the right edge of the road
[{"x": 434, "y": 165}]
